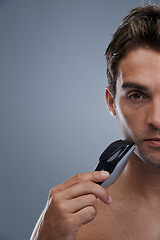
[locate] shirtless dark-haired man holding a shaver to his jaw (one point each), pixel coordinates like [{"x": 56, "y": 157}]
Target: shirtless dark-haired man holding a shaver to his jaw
[{"x": 81, "y": 209}]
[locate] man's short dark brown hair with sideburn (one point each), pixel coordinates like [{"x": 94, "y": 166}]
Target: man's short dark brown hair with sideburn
[{"x": 140, "y": 28}]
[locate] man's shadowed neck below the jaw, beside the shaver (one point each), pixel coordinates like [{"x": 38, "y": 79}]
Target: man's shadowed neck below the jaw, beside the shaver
[{"x": 143, "y": 178}]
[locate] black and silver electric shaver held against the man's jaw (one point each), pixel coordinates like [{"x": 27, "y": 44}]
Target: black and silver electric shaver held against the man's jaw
[{"x": 114, "y": 159}]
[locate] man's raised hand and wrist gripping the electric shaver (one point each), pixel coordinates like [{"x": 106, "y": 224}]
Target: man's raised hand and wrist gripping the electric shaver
[{"x": 71, "y": 205}]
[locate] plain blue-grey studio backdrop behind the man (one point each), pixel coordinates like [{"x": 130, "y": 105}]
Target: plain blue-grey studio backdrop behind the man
[{"x": 53, "y": 118}]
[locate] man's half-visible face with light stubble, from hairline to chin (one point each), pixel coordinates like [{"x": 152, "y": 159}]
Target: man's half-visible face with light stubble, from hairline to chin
[{"x": 137, "y": 102}]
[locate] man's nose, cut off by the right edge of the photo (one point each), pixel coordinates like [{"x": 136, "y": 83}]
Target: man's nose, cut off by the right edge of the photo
[{"x": 153, "y": 118}]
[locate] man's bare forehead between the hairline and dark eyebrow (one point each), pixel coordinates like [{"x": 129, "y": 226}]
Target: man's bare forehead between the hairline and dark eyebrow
[{"x": 141, "y": 66}]
